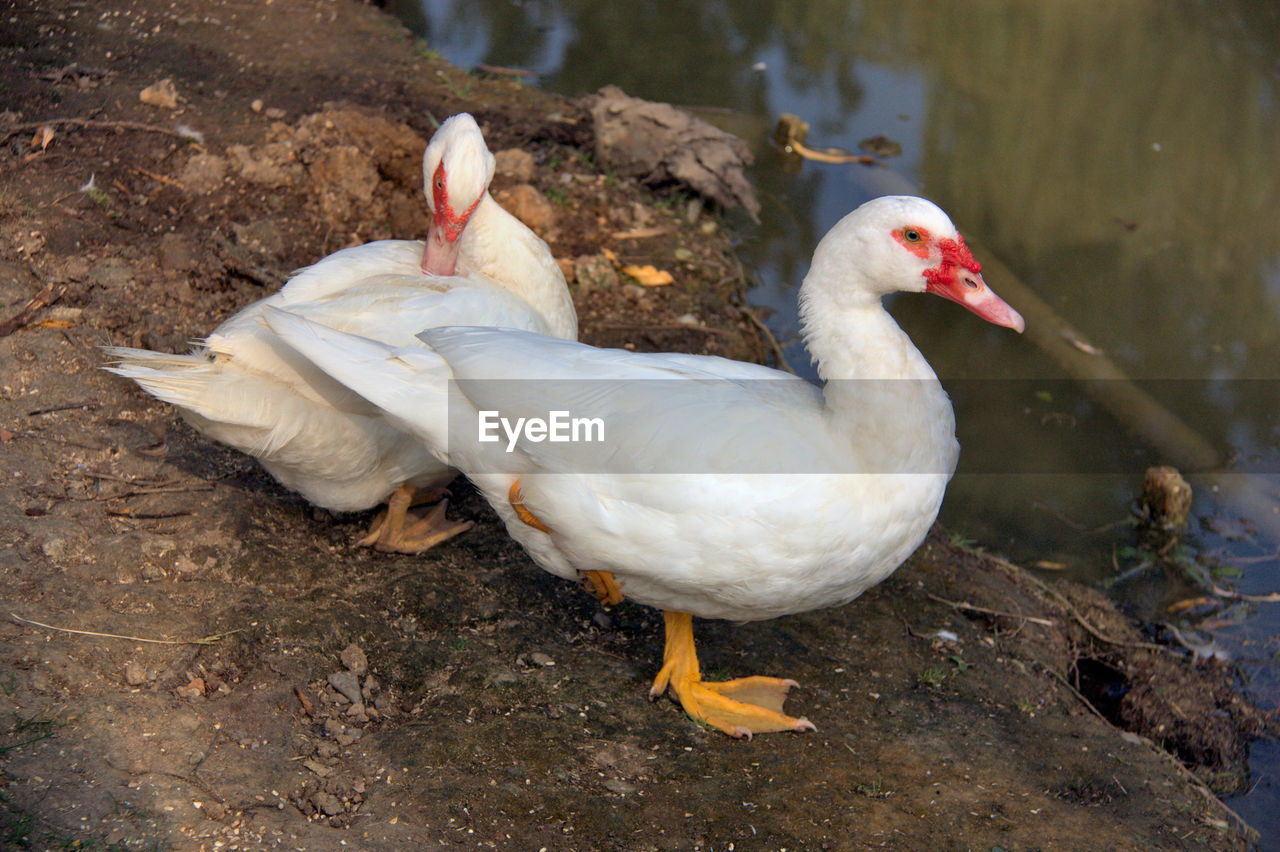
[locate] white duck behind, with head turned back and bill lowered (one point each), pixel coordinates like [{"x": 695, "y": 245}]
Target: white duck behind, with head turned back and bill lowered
[{"x": 246, "y": 390}]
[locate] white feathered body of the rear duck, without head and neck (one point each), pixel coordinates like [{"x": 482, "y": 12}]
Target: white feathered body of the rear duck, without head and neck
[{"x": 245, "y": 388}]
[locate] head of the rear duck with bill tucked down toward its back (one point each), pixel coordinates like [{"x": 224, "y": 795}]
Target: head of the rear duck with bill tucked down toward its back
[{"x": 456, "y": 173}]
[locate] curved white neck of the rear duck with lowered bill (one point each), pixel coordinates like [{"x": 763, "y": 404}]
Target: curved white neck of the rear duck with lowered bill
[{"x": 504, "y": 249}]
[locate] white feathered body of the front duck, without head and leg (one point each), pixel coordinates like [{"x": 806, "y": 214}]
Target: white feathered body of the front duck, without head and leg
[{"x": 757, "y": 532}]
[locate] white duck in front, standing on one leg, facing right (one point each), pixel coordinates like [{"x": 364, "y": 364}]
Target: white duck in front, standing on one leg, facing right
[{"x": 748, "y": 496}]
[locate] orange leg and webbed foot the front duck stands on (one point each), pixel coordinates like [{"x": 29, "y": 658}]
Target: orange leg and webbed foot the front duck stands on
[{"x": 739, "y": 708}]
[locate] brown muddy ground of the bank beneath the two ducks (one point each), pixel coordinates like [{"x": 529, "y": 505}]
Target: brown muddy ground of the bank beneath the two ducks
[{"x": 301, "y": 693}]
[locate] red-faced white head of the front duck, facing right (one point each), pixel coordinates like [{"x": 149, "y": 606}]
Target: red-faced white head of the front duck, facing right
[{"x": 900, "y": 244}]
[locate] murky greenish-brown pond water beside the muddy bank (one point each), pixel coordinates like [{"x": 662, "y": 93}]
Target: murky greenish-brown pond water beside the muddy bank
[{"x": 1121, "y": 161}]
